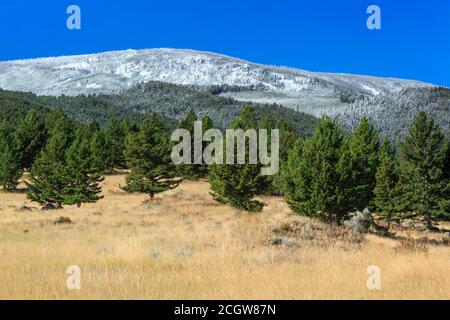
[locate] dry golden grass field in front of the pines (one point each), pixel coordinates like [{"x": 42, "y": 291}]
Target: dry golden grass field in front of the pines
[{"x": 186, "y": 246}]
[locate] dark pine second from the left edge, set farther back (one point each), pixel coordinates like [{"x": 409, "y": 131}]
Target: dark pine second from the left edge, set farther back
[{"x": 31, "y": 138}]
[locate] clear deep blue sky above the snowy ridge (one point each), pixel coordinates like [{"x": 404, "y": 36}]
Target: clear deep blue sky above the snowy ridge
[{"x": 319, "y": 35}]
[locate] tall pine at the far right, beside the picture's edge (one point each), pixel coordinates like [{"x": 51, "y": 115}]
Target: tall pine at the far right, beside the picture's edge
[{"x": 422, "y": 182}]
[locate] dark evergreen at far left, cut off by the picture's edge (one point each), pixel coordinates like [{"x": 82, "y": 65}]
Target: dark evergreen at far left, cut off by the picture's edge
[{"x": 10, "y": 159}]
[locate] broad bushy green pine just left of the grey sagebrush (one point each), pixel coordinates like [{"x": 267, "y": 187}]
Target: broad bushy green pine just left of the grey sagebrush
[{"x": 312, "y": 180}]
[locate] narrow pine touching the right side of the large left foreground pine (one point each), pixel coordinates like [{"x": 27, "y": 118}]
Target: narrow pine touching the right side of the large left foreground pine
[{"x": 82, "y": 182}]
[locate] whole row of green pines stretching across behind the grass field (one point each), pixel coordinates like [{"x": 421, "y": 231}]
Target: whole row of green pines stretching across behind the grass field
[{"x": 326, "y": 176}]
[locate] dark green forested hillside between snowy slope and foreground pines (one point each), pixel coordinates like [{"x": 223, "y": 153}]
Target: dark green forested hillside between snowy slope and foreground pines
[{"x": 167, "y": 100}]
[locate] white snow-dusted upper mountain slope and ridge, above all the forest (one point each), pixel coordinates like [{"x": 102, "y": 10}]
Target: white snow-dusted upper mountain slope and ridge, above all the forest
[{"x": 115, "y": 71}]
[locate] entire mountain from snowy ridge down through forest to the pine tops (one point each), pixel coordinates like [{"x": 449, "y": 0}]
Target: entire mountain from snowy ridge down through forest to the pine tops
[{"x": 117, "y": 78}]
